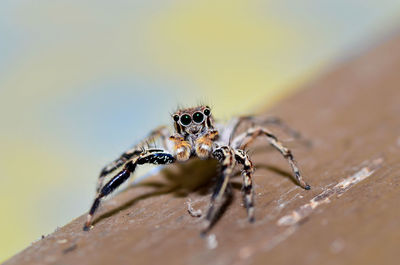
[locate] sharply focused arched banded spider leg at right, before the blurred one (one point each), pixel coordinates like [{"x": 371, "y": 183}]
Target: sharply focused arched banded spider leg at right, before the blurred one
[{"x": 247, "y": 138}]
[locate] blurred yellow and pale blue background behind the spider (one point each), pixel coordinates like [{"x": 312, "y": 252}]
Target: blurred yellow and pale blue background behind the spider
[{"x": 81, "y": 81}]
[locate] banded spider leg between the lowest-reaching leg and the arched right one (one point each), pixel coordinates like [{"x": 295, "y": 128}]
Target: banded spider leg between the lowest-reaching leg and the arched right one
[{"x": 247, "y": 189}]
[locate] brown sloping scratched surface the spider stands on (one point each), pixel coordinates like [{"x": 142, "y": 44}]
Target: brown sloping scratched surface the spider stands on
[{"x": 350, "y": 216}]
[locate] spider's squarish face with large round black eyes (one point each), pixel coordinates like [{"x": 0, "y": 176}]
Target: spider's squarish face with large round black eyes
[{"x": 192, "y": 120}]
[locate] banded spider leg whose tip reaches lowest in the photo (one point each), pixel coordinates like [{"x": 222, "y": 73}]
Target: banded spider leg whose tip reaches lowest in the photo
[{"x": 225, "y": 156}]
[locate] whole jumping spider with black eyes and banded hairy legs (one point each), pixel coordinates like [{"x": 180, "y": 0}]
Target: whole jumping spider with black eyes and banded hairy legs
[{"x": 197, "y": 136}]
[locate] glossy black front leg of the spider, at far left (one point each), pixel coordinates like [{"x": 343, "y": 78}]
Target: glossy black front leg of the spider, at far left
[{"x": 151, "y": 156}]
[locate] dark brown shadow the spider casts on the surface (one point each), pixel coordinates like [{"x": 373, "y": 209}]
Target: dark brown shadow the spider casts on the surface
[{"x": 195, "y": 176}]
